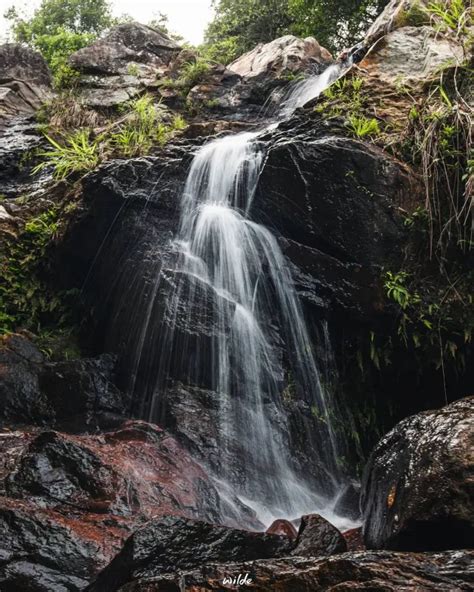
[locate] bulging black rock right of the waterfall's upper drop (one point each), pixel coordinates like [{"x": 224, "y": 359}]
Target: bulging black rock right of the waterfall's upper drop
[{"x": 343, "y": 205}]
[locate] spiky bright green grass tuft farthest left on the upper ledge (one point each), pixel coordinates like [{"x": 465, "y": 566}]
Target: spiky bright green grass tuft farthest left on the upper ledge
[{"x": 77, "y": 153}]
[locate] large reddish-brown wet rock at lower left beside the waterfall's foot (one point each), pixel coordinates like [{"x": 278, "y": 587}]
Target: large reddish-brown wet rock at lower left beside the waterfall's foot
[{"x": 68, "y": 502}]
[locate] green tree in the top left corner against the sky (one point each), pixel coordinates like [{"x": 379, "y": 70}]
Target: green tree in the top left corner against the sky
[{"x": 60, "y": 27}]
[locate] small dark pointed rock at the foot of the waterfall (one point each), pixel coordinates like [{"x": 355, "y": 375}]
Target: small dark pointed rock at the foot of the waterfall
[{"x": 317, "y": 537}]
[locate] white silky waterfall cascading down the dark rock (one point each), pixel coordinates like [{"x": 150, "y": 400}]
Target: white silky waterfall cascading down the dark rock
[{"x": 261, "y": 335}]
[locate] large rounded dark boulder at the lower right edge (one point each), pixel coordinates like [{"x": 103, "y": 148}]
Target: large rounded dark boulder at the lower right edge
[{"x": 418, "y": 484}]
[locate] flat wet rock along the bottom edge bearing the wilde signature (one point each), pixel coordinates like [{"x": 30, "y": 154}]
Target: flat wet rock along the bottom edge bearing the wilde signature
[{"x": 368, "y": 571}]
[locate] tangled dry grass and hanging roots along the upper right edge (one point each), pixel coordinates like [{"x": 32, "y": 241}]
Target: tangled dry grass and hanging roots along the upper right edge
[{"x": 440, "y": 135}]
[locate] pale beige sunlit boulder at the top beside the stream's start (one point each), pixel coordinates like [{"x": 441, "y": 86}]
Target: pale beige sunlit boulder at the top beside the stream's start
[{"x": 283, "y": 56}]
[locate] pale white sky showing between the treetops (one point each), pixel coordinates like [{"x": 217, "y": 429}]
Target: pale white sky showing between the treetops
[{"x": 189, "y": 18}]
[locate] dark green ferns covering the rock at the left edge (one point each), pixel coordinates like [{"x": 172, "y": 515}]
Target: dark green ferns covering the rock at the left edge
[{"x": 26, "y": 300}]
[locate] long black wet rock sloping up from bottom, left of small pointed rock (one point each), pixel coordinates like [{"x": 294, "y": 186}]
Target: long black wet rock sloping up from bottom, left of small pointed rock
[{"x": 171, "y": 544}]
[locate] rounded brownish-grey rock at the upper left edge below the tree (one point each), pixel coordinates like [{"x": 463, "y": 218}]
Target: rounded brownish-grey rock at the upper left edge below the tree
[{"x": 25, "y": 80}]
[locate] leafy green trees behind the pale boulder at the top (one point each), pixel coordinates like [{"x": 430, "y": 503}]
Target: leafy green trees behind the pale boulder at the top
[{"x": 240, "y": 24}]
